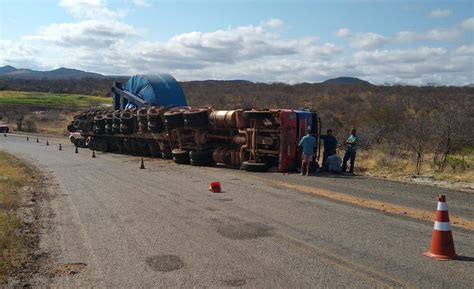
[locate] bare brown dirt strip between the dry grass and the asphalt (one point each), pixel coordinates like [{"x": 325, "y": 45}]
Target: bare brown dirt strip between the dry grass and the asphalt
[{"x": 37, "y": 215}]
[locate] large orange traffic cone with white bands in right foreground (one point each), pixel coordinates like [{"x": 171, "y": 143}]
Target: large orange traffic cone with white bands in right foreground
[{"x": 442, "y": 244}]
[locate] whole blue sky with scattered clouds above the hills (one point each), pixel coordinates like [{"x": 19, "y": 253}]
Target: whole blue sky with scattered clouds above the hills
[{"x": 416, "y": 42}]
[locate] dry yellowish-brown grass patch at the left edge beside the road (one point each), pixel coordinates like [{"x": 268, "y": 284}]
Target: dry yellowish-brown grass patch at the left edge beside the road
[{"x": 13, "y": 245}]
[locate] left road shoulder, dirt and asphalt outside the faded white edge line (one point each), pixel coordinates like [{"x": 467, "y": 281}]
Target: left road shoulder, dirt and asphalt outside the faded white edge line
[{"x": 59, "y": 254}]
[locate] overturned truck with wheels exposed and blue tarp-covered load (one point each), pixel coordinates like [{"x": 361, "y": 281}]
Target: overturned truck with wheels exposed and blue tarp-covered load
[{"x": 150, "y": 117}]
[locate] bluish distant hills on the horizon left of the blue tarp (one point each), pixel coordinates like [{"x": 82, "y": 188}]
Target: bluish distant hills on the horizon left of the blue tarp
[{"x": 60, "y": 73}]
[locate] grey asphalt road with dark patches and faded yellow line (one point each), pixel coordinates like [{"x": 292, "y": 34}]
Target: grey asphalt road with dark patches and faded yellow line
[{"x": 161, "y": 227}]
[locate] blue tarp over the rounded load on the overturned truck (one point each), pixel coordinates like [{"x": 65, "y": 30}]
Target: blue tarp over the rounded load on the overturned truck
[{"x": 161, "y": 89}]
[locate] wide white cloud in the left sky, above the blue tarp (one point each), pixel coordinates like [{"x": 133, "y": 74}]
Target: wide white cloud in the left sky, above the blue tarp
[{"x": 86, "y": 33}]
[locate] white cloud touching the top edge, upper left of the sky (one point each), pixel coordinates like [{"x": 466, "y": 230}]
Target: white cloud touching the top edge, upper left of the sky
[{"x": 89, "y": 9}]
